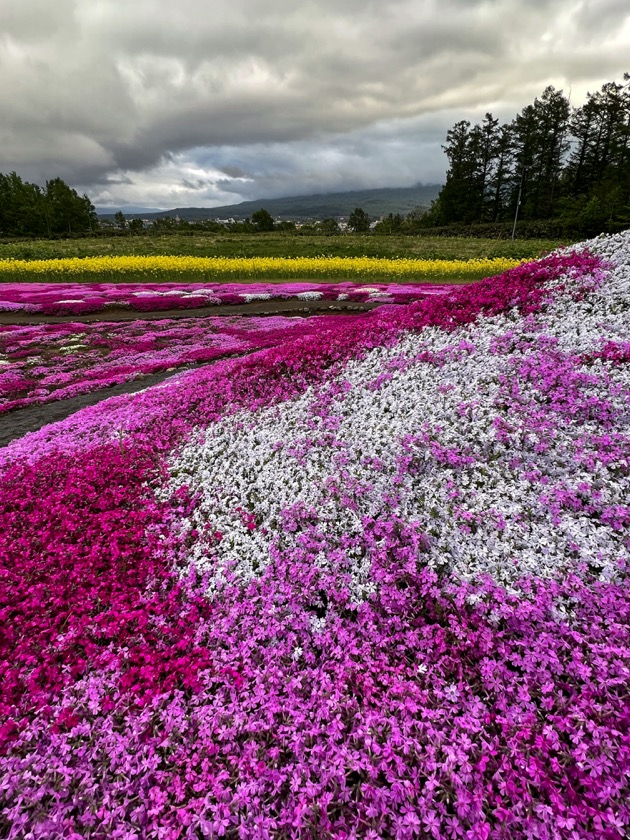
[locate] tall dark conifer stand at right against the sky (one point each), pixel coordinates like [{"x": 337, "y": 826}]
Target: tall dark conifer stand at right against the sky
[{"x": 566, "y": 169}]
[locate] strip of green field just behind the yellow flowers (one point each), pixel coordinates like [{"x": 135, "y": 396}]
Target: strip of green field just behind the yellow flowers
[{"x": 280, "y": 245}]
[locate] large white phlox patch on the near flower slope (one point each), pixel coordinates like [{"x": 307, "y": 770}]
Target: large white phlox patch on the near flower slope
[{"x": 397, "y": 436}]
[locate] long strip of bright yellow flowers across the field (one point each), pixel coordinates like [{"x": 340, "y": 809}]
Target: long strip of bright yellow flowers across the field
[{"x": 157, "y": 268}]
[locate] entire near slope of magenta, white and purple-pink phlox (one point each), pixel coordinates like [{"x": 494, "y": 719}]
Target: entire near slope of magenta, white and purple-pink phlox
[{"x": 369, "y": 582}]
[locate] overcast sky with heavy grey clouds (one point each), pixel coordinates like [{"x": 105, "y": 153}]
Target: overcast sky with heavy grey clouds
[{"x": 166, "y": 103}]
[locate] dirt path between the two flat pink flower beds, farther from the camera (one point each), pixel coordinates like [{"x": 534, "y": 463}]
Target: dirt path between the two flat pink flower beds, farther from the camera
[{"x": 259, "y": 307}]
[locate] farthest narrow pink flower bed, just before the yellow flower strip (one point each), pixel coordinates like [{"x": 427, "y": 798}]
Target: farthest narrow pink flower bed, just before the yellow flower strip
[{"x": 63, "y": 298}]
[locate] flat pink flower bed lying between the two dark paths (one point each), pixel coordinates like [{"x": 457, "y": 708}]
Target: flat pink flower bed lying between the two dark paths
[{"x": 40, "y": 364}]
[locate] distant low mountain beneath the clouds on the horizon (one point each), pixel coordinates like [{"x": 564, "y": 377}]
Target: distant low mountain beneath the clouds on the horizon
[{"x": 376, "y": 203}]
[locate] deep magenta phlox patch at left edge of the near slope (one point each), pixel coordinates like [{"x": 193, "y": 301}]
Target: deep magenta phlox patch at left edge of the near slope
[{"x": 81, "y": 582}]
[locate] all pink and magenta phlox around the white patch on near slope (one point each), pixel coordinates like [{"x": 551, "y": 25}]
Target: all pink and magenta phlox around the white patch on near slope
[{"x": 133, "y": 707}]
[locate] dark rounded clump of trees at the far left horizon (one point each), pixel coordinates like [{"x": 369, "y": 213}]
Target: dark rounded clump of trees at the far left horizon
[{"x": 28, "y": 210}]
